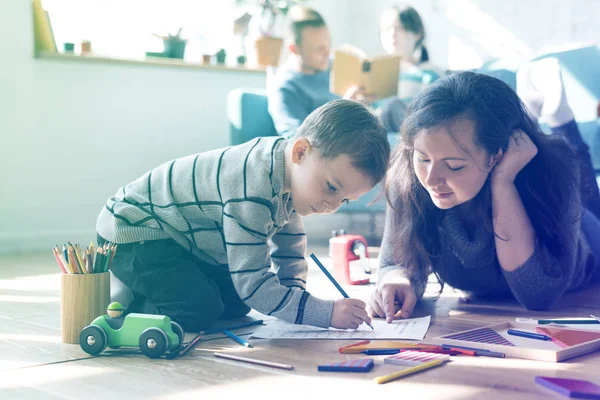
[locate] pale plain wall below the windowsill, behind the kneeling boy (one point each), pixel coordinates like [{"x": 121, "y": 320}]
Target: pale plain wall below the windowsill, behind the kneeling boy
[{"x": 73, "y": 132}]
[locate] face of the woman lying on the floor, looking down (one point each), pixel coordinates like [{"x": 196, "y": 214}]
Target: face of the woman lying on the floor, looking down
[{"x": 449, "y": 165}]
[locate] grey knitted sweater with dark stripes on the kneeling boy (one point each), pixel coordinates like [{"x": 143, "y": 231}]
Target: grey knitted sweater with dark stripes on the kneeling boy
[{"x": 227, "y": 206}]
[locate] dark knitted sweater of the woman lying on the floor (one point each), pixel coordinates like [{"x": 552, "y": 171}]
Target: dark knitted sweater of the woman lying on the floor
[{"x": 468, "y": 261}]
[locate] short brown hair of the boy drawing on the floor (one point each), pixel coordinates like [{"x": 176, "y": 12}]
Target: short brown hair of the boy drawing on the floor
[{"x": 348, "y": 127}]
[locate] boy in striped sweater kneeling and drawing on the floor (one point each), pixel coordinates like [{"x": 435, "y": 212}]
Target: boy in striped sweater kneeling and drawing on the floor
[{"x": 198, "y": 235}]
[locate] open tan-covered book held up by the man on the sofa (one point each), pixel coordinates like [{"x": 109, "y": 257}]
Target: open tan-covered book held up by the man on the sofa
[{"x": 377, "y": 75}]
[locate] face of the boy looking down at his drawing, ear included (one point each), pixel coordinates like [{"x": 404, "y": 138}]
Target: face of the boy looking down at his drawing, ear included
[{"x": 321, "y": 186}]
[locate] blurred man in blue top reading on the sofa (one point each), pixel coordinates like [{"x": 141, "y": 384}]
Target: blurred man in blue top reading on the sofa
[{"x": 302, "y": 84}]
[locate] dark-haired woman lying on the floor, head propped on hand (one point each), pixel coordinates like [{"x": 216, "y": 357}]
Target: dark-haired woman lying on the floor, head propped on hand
[{"x": 479, "y": 196}]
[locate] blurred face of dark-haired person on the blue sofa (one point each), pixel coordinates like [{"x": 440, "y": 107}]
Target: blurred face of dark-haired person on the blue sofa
[{"x": 394, "y": 39}]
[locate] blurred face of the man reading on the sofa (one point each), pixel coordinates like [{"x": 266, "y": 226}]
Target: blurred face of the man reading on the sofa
[{"x": 314, "y": 48}]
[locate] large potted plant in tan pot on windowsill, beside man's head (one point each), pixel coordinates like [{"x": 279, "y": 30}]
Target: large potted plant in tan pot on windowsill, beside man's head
[{"x": 264, "y": 44}]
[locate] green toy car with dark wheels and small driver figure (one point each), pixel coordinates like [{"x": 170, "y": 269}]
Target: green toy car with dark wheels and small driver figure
[{"x": 153, "y": 334}]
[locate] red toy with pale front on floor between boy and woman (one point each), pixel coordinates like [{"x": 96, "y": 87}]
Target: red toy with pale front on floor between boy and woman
[{"x": 342, "y": 253}]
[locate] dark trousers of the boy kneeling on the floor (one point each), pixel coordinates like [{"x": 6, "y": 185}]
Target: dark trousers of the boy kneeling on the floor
[{"x": 167, "y": 279}]
